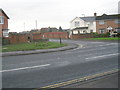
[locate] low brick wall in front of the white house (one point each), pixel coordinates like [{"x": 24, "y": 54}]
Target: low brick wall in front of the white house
[{"x": 81, "y": 36}]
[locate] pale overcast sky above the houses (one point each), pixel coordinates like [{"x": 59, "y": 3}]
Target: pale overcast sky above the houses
[{"x": 53, "y": 13}]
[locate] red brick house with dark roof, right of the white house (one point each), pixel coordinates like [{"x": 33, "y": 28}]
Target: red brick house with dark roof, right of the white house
[{"x": 108, "y": 23}]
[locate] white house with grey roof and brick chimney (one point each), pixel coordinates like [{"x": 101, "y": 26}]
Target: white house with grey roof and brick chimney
[{"x": 82, "y": 25}]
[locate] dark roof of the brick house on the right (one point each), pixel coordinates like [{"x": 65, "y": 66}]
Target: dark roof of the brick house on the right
[{"x": 105, "y": 16}]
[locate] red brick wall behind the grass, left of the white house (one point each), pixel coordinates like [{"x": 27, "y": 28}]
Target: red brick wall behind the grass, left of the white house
[{"x": 56, "y": 35}]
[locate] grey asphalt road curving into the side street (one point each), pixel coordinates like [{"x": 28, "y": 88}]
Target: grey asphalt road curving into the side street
[{"x": 39, "y": 70}]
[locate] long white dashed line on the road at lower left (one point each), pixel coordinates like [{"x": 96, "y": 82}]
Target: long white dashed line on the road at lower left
[{"x": 25, "y": 68}]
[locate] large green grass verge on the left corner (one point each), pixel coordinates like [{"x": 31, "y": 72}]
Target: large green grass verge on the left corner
[{"x": 31, "y": 46}]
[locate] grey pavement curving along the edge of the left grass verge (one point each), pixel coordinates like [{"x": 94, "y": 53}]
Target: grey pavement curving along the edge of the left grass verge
[{"x": 68, "y": 47}]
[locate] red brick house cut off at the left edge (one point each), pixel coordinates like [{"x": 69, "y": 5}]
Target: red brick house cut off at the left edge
[{"x": 3, "y": 24}]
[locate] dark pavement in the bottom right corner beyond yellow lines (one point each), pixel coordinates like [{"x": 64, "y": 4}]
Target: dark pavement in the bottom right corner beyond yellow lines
[{"x": 107, "y": 81}]
